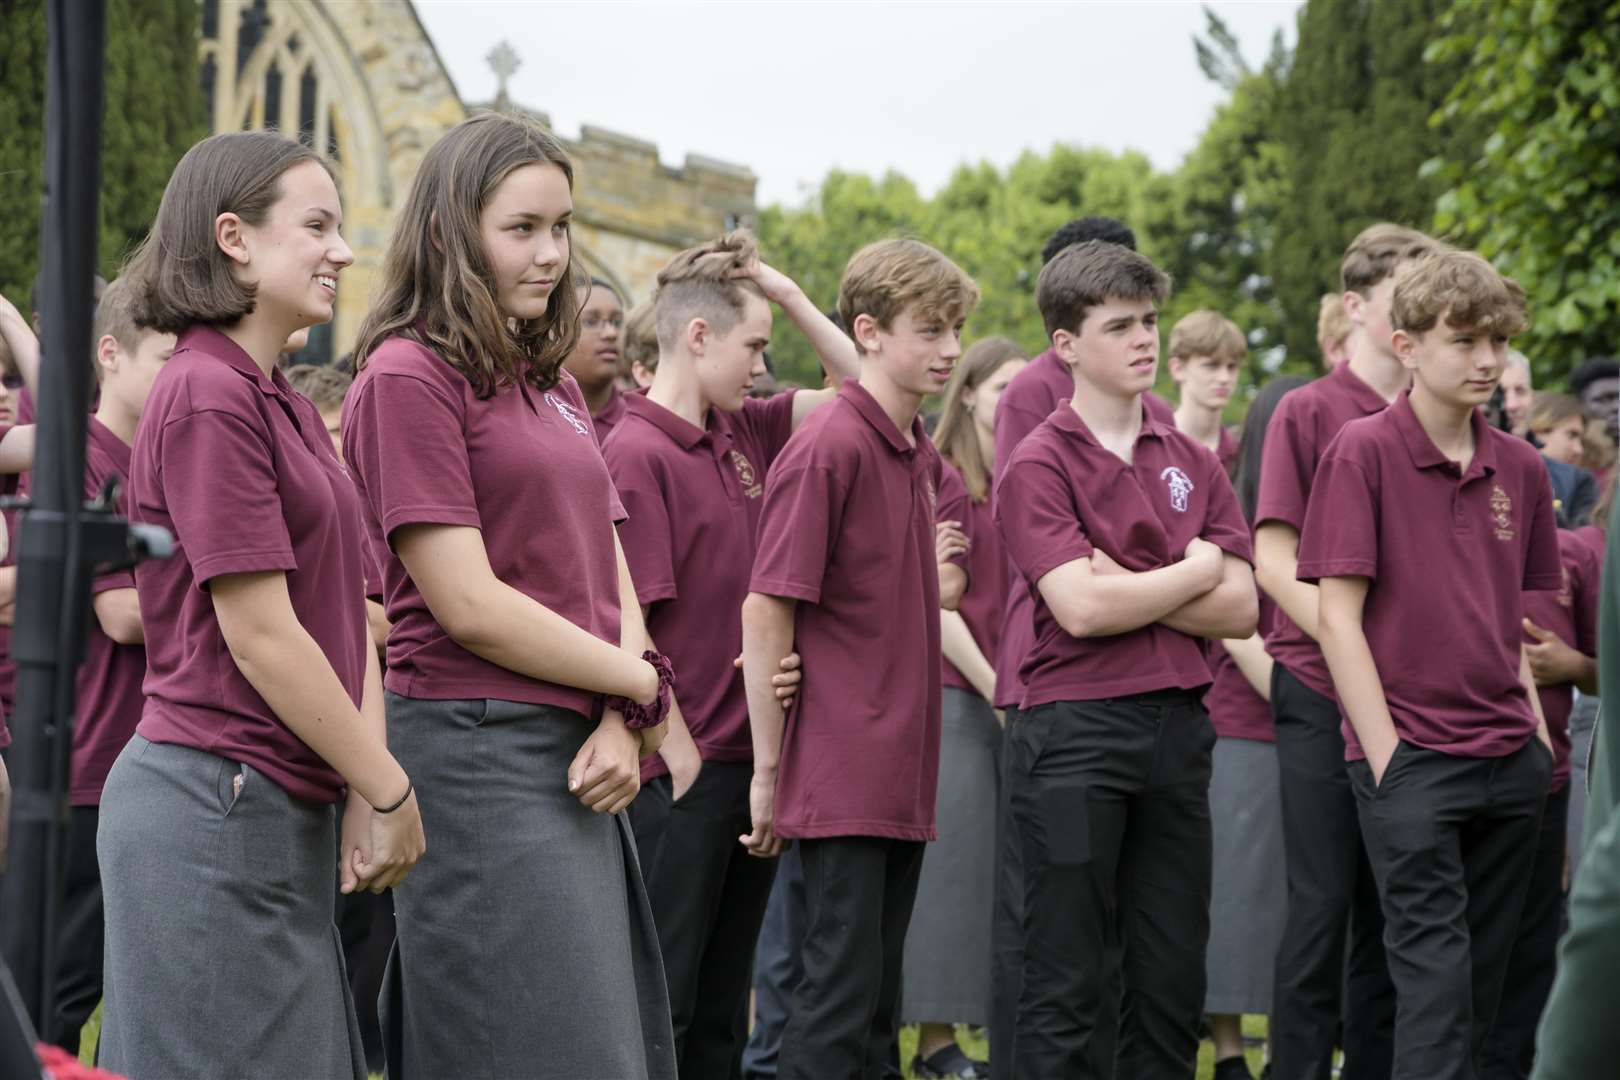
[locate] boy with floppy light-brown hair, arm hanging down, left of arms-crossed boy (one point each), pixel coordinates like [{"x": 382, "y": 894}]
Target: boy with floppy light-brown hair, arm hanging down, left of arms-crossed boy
[{"x": 846, "y": 576}]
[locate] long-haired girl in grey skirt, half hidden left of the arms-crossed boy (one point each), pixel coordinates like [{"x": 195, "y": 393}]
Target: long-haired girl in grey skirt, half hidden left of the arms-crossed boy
[{"x": 947, "y": 971}]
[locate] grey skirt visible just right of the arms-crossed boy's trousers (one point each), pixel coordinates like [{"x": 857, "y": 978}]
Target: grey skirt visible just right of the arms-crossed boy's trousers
[{"x": 1248, "y": 893}]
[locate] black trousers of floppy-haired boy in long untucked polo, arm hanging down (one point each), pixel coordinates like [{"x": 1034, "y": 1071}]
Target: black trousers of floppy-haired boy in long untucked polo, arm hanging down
[{"x": 859, "y": 896}]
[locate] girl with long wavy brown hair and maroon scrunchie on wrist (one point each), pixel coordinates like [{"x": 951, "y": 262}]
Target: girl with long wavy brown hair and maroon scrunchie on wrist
[{"x": 521, "y": 687}]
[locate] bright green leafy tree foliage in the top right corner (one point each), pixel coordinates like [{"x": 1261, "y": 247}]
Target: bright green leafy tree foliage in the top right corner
[{"x": 1541, "y": 197}]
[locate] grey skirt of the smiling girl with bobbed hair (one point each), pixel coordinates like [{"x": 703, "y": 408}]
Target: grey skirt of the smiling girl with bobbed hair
[{"x": 223, "y": 961}]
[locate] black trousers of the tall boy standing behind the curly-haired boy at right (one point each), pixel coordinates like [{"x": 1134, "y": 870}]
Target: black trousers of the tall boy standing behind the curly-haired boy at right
[{"x": 1332, "y": 899}]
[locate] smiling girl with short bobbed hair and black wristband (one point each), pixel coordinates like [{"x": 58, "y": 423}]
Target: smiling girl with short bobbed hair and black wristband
[{"x": 263, "y": 692}]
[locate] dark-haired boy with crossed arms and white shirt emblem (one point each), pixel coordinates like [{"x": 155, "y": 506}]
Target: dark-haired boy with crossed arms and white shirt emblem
[{"x": 1130, "y": 538}]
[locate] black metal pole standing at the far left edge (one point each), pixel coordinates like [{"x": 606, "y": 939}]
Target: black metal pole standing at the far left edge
[{"x": 53, "y": 595}]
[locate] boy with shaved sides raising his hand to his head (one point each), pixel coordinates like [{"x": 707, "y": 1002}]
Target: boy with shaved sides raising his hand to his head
[{"x": 691, "y": 462}]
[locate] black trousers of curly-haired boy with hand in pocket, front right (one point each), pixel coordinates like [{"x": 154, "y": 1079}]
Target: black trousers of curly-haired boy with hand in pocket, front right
[{"x": 1452, "y": 844}]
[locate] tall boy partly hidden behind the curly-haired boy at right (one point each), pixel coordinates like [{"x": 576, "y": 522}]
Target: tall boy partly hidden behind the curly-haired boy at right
[{"x": 1331, "y": 891}]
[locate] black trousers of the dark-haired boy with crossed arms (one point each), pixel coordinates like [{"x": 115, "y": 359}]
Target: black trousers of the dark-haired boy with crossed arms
[{"x": 1111, "y": 806}]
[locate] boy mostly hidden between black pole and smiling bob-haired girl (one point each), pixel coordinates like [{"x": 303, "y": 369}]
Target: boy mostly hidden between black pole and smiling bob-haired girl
[{"x": 109, "y": 679}]
